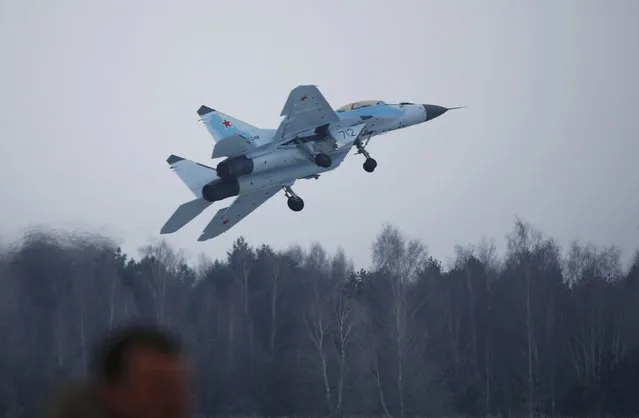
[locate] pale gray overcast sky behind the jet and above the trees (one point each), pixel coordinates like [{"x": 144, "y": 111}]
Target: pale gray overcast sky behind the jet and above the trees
[{"x": 95, "y": 95}]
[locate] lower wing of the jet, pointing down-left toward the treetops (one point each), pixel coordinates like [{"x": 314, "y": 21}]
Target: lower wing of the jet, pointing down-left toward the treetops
[{"x": 241, "y": 207}]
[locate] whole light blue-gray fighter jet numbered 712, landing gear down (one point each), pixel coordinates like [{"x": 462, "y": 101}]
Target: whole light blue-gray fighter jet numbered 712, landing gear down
[{"x": 311, "y": 139}]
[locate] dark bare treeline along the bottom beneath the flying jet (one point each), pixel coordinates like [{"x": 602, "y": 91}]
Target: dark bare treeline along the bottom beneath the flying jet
[{"x": 537, "y": 331}]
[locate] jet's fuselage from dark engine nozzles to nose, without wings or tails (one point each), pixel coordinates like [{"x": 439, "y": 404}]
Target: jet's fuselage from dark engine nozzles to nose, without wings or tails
[{"x": 278, "y": 163}]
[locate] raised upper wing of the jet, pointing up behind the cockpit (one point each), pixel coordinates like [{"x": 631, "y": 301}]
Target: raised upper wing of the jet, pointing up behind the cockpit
[{"x": 305, "y": 109}]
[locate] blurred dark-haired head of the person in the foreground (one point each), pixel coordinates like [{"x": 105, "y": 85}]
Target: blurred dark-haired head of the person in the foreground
[{"x": 140, "y": 373}]
